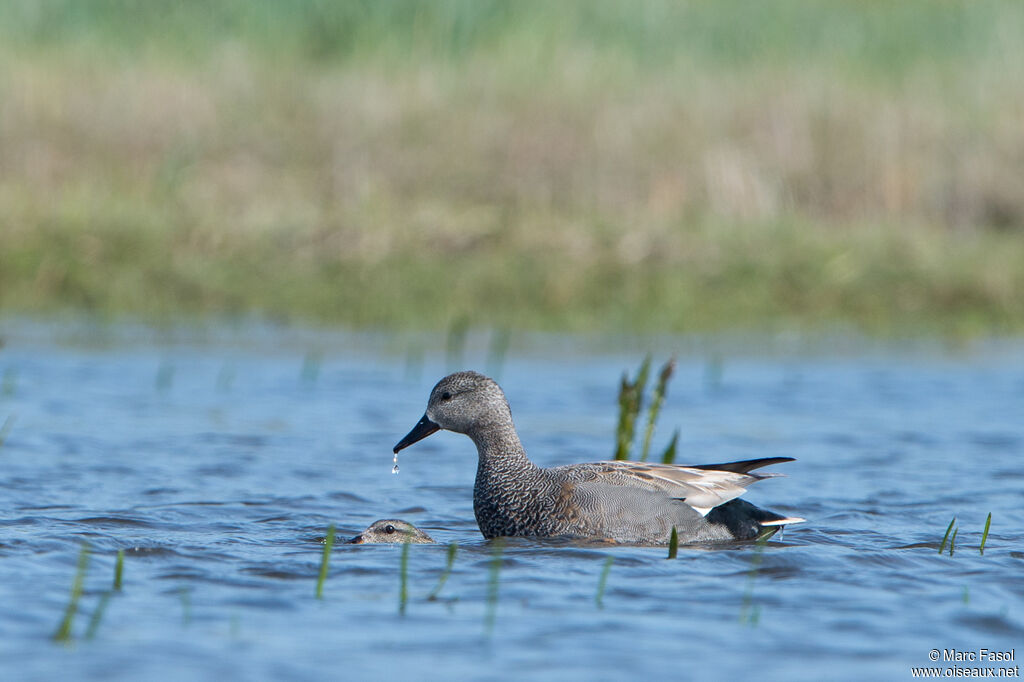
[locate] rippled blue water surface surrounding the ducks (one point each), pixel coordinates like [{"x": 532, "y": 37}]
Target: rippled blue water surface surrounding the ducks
[{"x": 219, "y": 466}]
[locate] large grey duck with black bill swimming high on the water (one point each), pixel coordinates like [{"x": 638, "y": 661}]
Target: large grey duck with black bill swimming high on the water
[{"x": 622, "y": 502}]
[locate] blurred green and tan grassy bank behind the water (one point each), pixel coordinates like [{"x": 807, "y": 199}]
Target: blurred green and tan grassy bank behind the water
[{"x": 574, "y": 165}]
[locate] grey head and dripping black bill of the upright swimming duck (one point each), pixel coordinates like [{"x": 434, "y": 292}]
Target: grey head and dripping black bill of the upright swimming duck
[{"x": 460, "y": 403}]
